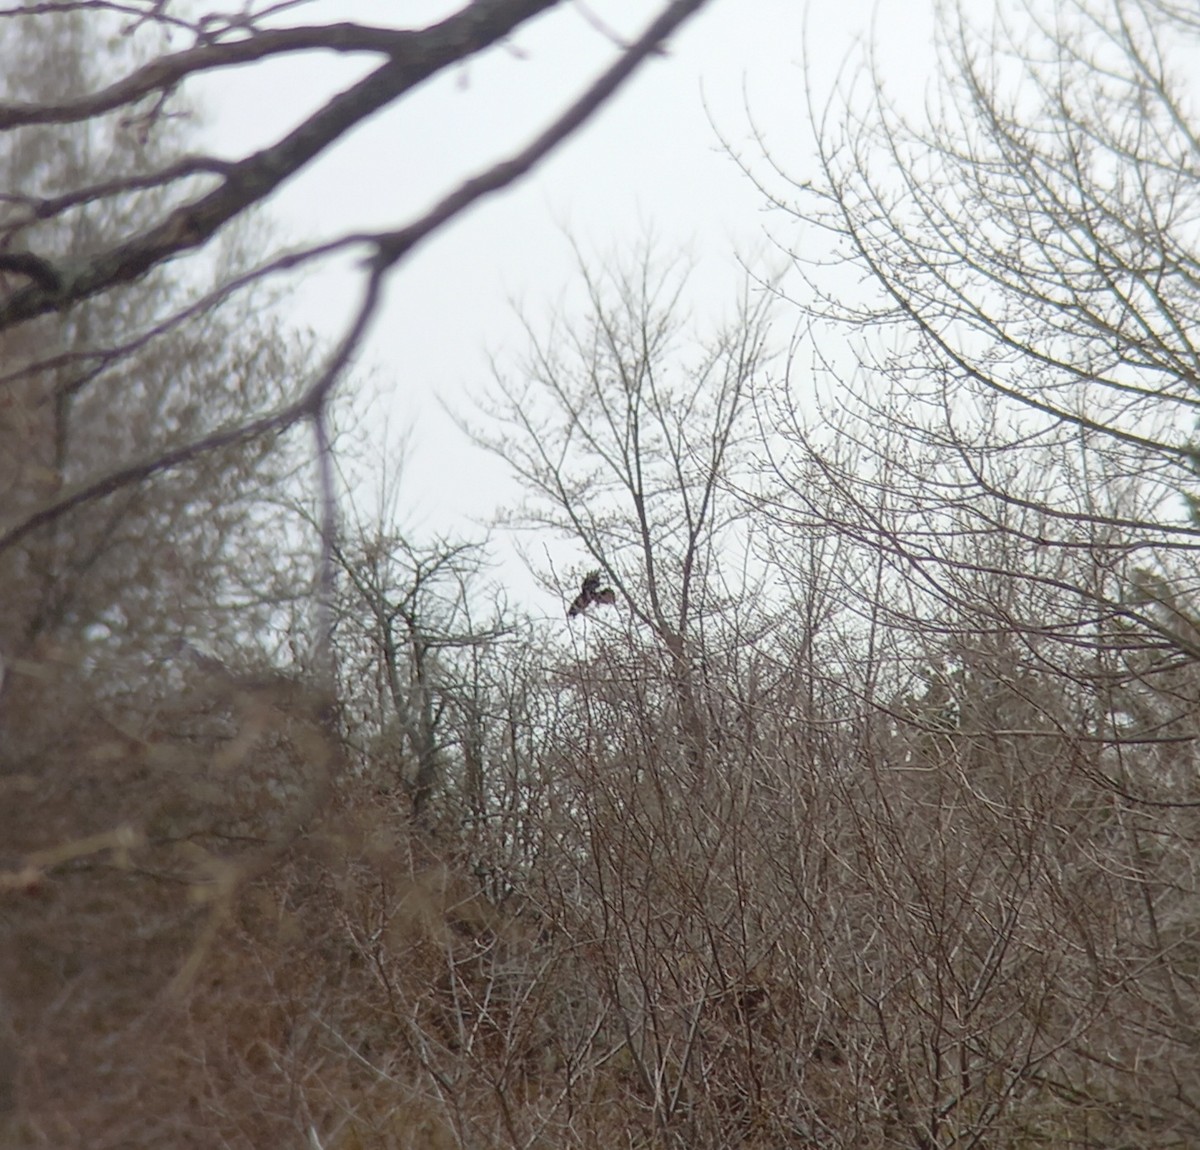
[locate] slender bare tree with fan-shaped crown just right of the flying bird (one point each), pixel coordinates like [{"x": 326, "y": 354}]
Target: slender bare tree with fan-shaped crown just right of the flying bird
[{"x": 627, "y": 441}]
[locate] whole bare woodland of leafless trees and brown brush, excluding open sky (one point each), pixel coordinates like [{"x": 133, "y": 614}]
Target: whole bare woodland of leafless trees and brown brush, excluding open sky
[{"x": 868, "y": 817}]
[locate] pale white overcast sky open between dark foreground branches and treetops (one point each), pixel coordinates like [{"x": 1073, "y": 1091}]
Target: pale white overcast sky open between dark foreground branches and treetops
[{"x": 651, "y": 161}]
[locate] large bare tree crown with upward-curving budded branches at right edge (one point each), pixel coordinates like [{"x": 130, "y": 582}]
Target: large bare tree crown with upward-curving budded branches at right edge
[{"x": 1034, "y": 257}]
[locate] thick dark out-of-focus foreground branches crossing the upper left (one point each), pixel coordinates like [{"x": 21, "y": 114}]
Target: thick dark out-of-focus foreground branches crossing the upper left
[{"x": 196, "y": 196}]
